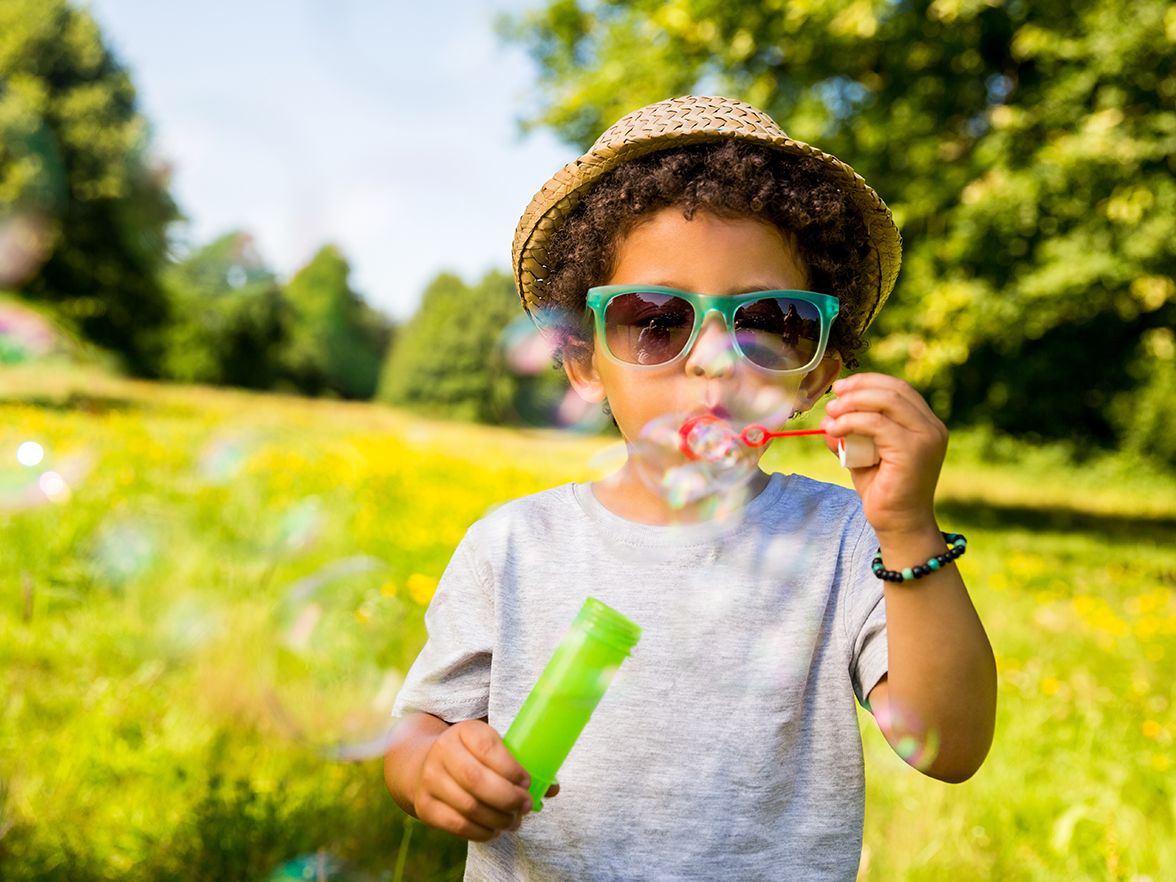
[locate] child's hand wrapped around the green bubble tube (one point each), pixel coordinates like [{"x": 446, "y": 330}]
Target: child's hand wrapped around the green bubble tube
[{"x": 471, "y": 786}]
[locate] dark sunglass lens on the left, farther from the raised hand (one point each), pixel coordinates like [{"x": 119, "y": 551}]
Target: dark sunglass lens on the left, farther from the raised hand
[{"x": 647, "y": 328}]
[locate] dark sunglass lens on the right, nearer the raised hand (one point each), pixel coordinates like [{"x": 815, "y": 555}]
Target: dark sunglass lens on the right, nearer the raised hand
[{"x": 779, "y": 333}]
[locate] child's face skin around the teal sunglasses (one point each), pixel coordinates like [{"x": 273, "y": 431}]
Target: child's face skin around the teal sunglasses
[{"x": 706, "y": 256}]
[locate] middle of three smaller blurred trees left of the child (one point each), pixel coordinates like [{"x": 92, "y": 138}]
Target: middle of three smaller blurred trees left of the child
[{"x": 337, "y": 342}]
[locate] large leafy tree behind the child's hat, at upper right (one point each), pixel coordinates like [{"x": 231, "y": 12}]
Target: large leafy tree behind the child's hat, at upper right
[{"x": 1027, "y": 149}]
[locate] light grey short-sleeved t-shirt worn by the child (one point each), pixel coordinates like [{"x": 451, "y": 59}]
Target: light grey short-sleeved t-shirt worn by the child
[{"x": 727, "y": 747}]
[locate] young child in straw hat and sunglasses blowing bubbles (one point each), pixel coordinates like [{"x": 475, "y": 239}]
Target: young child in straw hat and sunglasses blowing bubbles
[{"x": 709, "y": 253}]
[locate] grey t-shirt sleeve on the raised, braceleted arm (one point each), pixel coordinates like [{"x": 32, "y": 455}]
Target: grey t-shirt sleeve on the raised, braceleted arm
[{"x": 865, "y": 613}]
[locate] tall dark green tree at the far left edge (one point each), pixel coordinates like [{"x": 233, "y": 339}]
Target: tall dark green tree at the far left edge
[{"x": 75, "y": 171}]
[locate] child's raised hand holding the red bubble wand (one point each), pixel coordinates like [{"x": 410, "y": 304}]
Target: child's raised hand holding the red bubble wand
[{"x": 898, "y": 493}]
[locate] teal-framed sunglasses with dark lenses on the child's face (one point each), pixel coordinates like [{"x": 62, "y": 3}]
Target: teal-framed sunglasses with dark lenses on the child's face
[{"x": 647, "y": 326}]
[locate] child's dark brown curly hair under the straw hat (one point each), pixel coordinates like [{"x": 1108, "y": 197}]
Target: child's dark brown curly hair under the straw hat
[{"x": 730, "y": 179}]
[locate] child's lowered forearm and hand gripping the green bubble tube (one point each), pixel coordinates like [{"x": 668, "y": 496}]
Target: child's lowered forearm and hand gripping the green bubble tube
[{"x": 458, "y": 778}]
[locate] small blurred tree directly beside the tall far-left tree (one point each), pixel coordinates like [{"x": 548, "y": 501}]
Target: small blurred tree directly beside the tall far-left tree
[{"x": 230, "y": 318}]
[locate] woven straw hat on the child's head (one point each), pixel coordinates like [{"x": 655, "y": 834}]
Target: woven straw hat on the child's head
[{"x": 676, "y": 123}]
